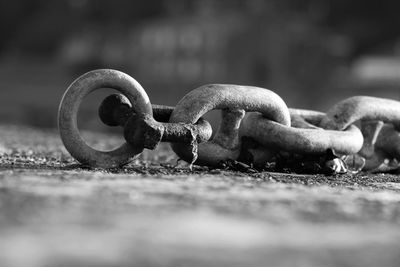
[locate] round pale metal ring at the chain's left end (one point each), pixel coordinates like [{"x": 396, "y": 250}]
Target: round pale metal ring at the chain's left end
[{"x": 69, "y": 107}]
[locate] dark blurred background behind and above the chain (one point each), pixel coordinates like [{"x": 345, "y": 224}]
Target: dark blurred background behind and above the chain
[{"x": 313, "y": 53}]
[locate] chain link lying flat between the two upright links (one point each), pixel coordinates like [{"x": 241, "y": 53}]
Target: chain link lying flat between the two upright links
[{"x": 305, "y": 138}]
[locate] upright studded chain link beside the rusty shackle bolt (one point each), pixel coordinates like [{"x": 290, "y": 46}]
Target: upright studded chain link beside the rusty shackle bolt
[{"x": 233, "y": 100}]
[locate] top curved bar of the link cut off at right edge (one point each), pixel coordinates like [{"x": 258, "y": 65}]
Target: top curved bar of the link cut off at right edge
[{"x": 352, "y": 109}]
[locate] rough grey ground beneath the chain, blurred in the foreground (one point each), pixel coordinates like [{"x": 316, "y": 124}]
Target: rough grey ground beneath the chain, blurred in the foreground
[{"x": 53, "y": 212}]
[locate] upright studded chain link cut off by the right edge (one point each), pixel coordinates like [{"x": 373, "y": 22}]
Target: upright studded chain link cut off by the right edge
[{"x": 381, "y": 141}]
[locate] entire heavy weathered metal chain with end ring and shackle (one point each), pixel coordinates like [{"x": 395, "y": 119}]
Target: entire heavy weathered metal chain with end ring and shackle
[{"x": 257, "y": 128}]
